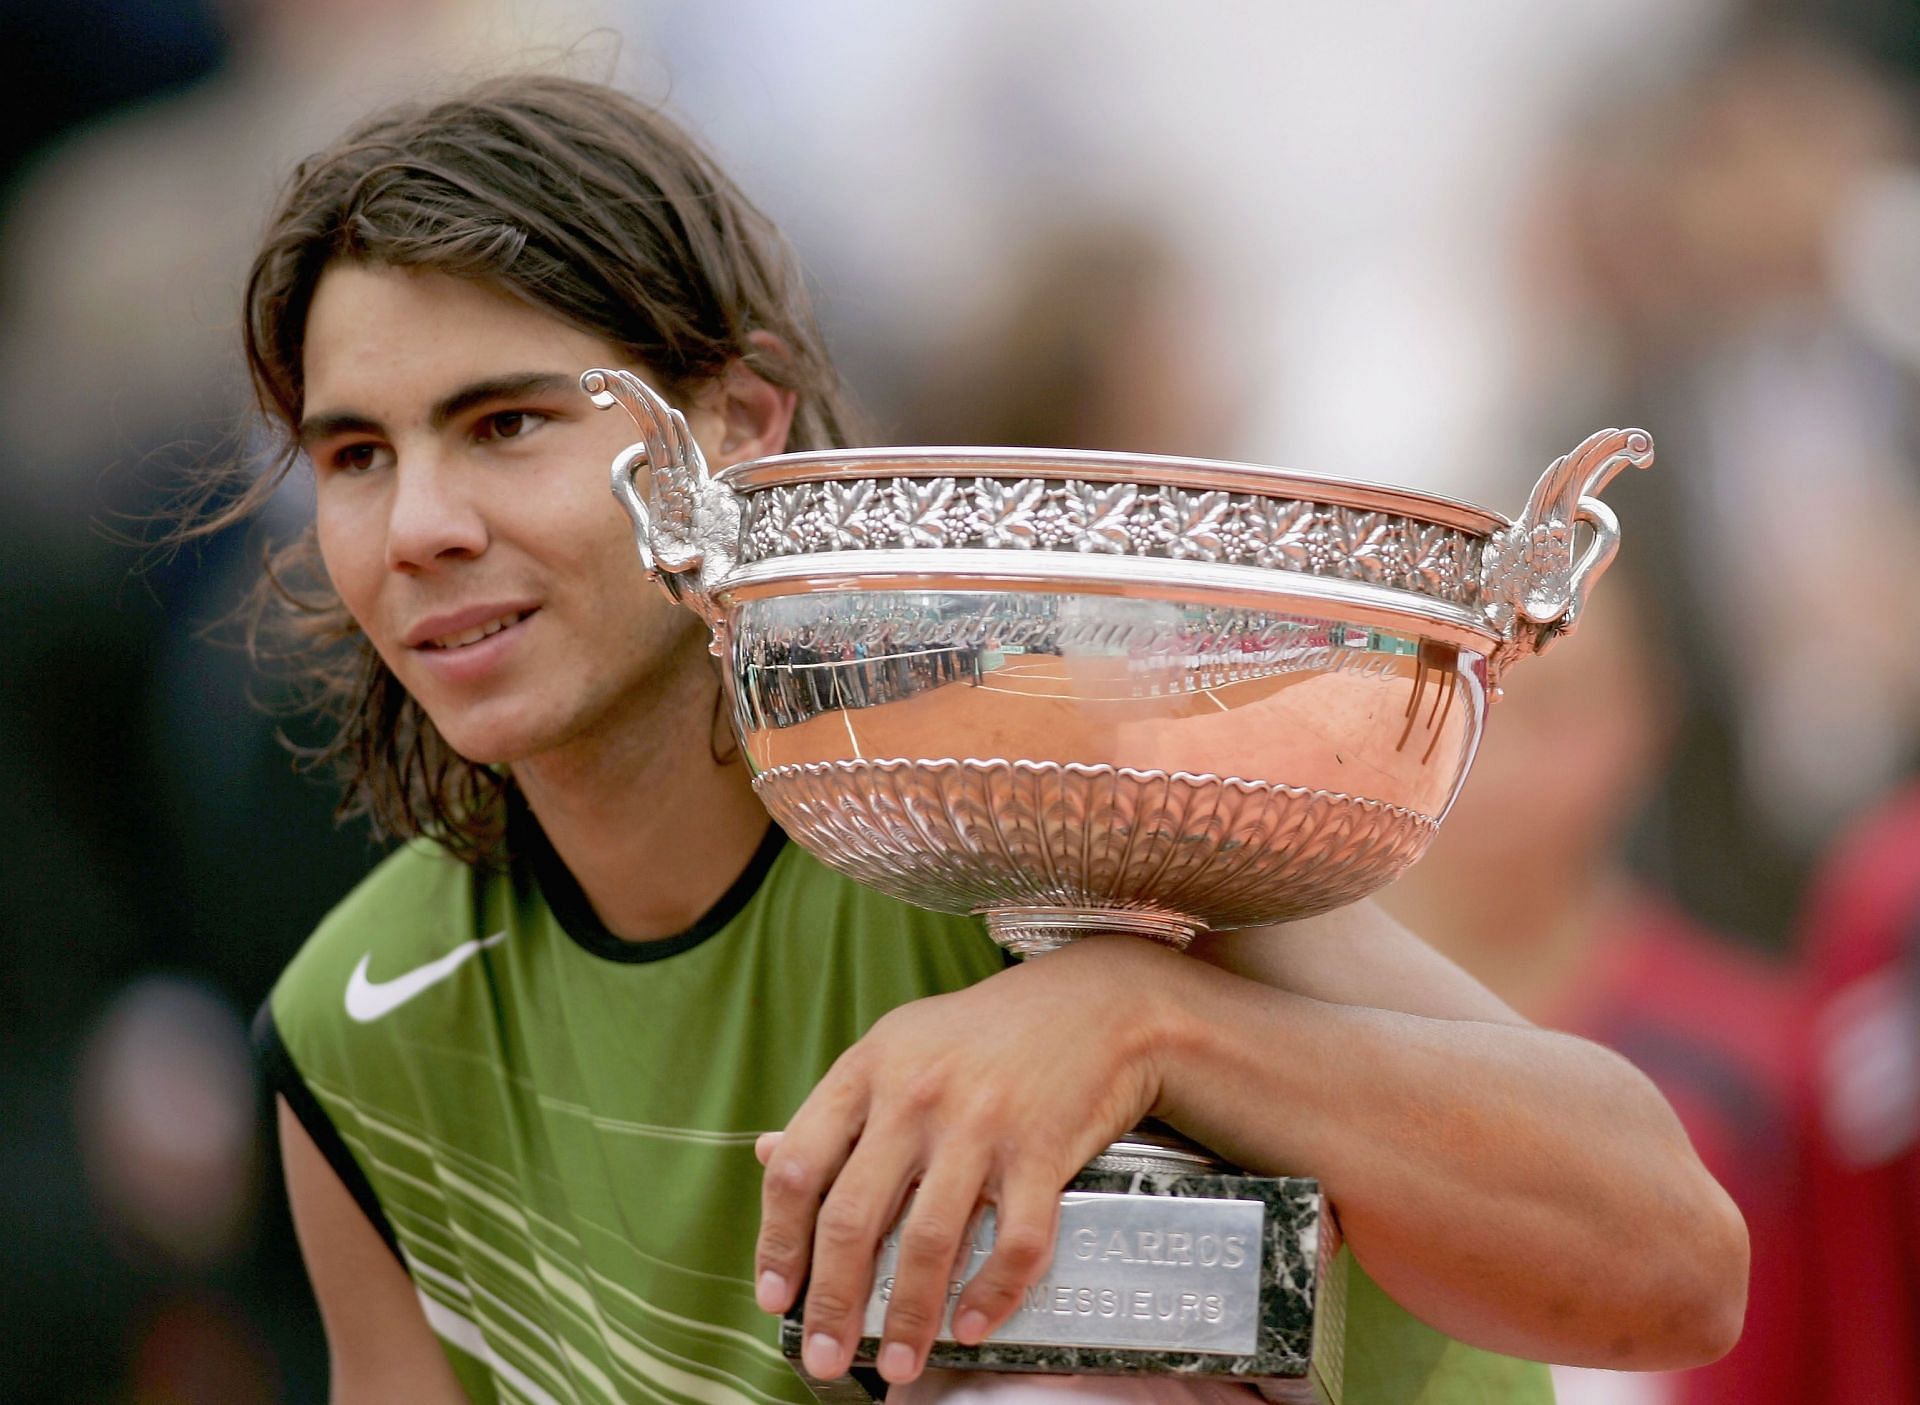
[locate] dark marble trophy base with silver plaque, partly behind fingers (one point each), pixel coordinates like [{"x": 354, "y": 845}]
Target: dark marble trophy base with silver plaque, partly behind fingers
[{"x": 1239, "y": 1281}]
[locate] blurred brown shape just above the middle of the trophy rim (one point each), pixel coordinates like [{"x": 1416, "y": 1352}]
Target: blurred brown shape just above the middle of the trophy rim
[{"x": 1099, "y": 341}]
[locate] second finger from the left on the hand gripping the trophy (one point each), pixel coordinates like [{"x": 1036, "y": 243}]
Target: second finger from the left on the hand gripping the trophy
[{"x": 865, "y": 1201}]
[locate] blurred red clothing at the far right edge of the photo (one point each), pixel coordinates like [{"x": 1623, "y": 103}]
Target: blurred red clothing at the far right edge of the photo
[{"x": 1863, "y": 945}]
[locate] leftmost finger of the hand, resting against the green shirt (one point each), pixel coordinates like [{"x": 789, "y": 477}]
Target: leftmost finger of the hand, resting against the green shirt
[{"x": 800, "y": 1168}]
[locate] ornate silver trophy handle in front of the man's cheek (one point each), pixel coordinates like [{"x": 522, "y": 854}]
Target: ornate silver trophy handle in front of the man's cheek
[{"x": 686, "y": 523}]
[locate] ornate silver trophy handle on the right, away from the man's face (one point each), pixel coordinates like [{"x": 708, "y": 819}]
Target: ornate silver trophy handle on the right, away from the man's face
[{"x": 1531, "y": 584}]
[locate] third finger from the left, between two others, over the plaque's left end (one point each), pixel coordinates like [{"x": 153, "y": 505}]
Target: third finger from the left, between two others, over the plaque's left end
[{"x": 932, "y": 1237}]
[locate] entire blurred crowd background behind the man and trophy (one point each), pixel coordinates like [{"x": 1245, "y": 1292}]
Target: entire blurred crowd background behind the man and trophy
[{"x": 1428, "y": 245}]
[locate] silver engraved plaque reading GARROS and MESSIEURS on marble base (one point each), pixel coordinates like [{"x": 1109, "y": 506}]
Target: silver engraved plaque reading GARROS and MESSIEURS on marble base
[{"x": 1130, "y": 1272}]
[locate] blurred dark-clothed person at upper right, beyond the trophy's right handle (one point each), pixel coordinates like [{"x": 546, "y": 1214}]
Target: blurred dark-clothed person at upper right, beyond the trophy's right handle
[{"x": 1737, "y": 266}]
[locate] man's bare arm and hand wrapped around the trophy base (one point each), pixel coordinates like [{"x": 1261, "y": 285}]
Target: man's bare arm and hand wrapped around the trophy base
[{"x": 1520, "y": 1189}]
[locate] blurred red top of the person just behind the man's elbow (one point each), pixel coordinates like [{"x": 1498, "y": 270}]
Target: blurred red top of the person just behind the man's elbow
[{"x": 1717, "y": 1030}]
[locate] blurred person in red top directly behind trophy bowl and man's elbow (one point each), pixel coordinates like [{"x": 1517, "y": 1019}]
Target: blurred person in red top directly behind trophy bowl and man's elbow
[{"x": 1529, "y": 892}]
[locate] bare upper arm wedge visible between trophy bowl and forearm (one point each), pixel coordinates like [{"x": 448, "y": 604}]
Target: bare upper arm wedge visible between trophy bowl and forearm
[{"x": 1356, "y": 957}]
